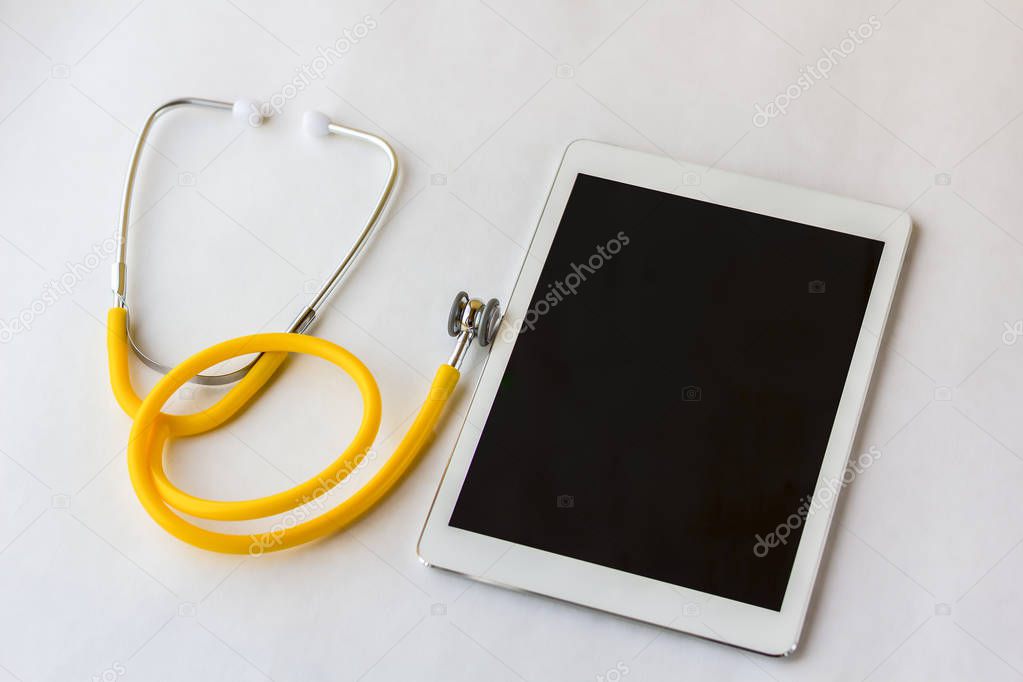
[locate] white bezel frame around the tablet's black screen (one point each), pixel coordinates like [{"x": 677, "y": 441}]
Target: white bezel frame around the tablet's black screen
[{"x": 523, "y": 568}]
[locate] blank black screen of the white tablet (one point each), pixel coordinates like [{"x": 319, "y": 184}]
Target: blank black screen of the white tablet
[{"x": 671, "y": 396}]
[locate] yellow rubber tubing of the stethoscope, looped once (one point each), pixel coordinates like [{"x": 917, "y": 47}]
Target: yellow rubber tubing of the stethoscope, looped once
[{"x": 152, "y": 429}]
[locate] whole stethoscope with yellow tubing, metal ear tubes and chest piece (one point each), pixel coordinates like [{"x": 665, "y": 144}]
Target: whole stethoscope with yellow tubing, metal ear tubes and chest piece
[{"x": 469, "y": 321}]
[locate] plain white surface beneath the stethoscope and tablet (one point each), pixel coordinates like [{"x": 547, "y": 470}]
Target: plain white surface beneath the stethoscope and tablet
[{"x": 481, "y": 100}]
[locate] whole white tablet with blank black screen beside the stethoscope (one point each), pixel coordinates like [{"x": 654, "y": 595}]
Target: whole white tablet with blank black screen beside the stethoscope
[{"x": 664, "y": 424}]
